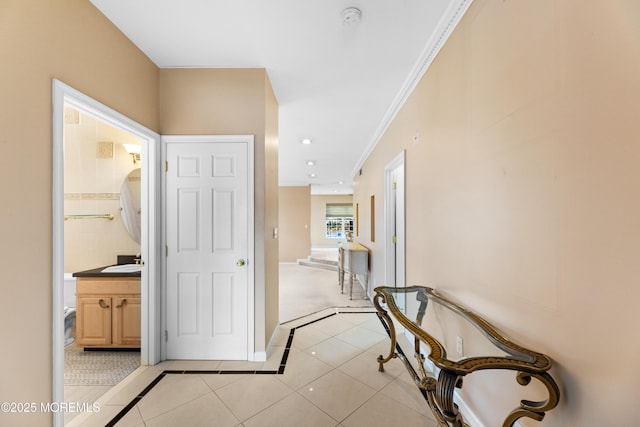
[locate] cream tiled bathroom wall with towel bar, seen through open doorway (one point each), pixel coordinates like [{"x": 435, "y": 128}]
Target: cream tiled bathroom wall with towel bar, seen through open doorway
[{"x": 92, "y": 185}]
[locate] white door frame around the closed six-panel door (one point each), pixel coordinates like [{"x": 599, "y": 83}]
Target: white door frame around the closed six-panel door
[{"x": 249, "y": 140}]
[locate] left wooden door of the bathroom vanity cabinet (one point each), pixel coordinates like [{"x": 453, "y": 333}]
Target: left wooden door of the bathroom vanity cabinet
[{"x": 93, "y": 321}]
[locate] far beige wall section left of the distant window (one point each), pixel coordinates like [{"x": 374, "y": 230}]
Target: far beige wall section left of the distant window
[{"x": 295, "y": 220}]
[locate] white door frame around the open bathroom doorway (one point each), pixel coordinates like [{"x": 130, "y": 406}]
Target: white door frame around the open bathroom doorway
[{"x": 150, "y": 230}]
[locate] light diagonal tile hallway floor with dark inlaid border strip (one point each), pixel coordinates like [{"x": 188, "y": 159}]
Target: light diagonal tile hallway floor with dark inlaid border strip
[{"x": 330, "y": 378}]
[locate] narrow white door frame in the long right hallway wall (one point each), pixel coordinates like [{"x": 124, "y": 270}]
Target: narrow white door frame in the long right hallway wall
[{"x": 391, "y": 222}]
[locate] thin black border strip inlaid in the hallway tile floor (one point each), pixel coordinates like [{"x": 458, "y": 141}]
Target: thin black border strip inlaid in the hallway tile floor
[{"x": 280, "y": 370}]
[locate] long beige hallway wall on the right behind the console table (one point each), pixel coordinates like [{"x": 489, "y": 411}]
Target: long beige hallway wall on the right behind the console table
[{"x": 522, "y": 195}]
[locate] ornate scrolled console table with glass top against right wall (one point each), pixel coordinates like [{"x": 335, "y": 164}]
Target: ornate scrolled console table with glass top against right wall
[{"x": 459, "y": 342}]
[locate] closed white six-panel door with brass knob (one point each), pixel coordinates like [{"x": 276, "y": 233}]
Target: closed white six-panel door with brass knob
[{"x": 207, "y": 250}]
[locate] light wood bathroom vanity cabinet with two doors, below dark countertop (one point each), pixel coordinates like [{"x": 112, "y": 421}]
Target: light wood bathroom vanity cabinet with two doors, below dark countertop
[{"x": 108, "y": 312}]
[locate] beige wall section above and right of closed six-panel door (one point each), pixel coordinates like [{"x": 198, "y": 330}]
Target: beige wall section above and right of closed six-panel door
[{"x": 235, "y": 101}]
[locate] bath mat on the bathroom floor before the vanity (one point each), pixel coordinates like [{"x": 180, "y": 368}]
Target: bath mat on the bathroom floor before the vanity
[{"x": 98, "y": 367}]
